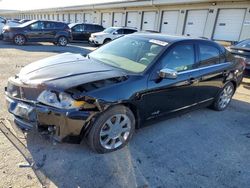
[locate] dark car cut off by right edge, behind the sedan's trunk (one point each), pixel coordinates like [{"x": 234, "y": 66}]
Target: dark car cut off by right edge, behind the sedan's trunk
[{"x": 242, "y": 49}]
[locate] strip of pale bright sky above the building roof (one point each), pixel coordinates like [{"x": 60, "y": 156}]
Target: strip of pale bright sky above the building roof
[{"x": 39, "y": 4}]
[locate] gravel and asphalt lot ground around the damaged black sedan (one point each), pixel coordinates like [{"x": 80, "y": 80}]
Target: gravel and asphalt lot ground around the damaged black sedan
[{"x": 203, "y": 148}]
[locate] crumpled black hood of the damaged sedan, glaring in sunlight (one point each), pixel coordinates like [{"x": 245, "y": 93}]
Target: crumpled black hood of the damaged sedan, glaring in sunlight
[{"x": 65, "y": 71}]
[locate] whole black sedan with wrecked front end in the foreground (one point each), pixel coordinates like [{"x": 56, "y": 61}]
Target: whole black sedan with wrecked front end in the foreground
[{"x": 121, "y": 86}]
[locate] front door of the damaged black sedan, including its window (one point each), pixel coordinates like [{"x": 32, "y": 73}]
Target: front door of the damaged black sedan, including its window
[{"x": 165, "y": 96}]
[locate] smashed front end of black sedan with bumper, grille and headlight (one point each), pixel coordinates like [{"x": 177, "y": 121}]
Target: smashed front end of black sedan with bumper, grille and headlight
[{"x": 64, "y": 114}]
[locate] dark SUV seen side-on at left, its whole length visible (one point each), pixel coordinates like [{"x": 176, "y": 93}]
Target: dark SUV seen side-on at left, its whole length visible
[{"x": 38, "y": 31}]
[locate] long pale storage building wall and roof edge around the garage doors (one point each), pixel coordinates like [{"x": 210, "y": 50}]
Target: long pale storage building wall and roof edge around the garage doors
[{"x": 94, "y": 13}]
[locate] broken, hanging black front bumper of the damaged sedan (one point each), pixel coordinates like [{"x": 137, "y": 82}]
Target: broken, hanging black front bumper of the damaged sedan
[{"x": 63, "y": 124}]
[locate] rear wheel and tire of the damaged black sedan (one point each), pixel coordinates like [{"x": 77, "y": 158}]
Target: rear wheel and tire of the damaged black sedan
[{"x": 224, "y": 97}]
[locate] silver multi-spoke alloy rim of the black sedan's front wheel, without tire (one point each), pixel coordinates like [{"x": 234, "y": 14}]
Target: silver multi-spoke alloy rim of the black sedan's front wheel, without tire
[{"x": 115, "y": 131}]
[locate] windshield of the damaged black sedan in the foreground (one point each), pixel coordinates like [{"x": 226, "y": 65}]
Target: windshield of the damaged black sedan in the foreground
[{"x": 129, "y": 53}]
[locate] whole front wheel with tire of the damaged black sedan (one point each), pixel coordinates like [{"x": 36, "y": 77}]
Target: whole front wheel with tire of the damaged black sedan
[{"x": 112, "y": 130}]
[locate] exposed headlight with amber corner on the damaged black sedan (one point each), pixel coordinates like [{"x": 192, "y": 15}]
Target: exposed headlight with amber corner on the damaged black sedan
[{"x": 59, "y": 100}]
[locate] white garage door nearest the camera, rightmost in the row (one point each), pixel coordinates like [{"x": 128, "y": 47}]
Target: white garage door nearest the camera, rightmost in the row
[{"x": 229, "y": 24}]
